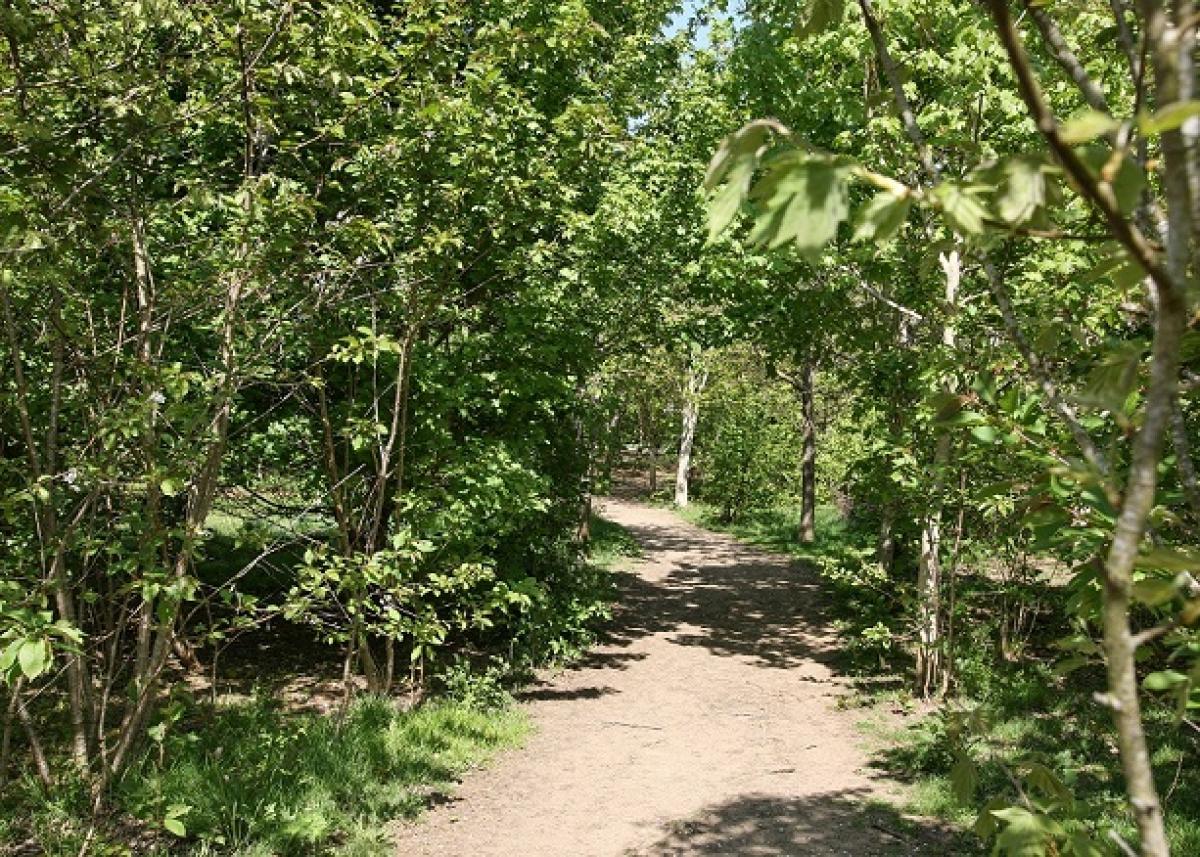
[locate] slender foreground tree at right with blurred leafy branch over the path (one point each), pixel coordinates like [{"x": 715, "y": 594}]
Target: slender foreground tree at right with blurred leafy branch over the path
[{"x": 997, "y": 207}]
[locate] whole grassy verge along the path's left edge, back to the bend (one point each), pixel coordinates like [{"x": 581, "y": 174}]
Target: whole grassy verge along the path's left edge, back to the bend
[{"x": 255, "y": 775}]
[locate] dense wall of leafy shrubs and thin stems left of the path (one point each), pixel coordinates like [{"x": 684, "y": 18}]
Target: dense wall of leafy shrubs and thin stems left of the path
[{"x": 327, "y": 271}]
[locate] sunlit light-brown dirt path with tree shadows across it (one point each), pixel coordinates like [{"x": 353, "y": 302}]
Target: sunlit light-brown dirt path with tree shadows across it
[{"x": 705, "y": 726}]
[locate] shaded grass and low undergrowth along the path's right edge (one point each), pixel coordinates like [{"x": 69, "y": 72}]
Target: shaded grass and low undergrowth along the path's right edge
[{"x": 1009, "y": 712}]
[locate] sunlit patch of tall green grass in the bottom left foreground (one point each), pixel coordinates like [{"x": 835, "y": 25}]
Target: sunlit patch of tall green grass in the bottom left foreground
[{"x": 254, "y": 780}]
